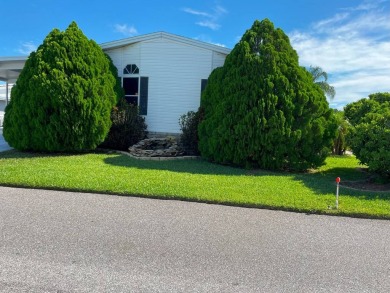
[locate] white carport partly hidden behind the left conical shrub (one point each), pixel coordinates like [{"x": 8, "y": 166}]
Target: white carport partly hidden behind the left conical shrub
[{"x": 10, "y": 68}]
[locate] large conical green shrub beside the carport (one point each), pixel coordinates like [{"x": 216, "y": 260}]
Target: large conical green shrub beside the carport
[{"x": 63, "y": 97}]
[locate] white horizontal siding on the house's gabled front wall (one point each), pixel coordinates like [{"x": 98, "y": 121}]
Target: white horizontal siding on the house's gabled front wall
[{"x": 175, "y": 71}]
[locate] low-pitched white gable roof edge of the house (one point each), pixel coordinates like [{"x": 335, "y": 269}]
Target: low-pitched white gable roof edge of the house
[{"x": 164, "y": 35}]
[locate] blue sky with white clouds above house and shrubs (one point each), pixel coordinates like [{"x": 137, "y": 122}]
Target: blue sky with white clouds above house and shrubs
[{"x": 349, "y": 39}]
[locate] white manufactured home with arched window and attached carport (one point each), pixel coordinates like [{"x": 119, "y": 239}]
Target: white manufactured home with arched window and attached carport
[{"x": 162, "y": 73}]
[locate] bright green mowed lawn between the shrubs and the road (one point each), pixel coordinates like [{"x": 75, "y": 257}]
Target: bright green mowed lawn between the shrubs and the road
[{"x": 198, "y": 180}]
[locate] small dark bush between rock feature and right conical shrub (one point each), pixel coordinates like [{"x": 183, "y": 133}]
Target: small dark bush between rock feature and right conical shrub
[{"x": 189, "y": 137}]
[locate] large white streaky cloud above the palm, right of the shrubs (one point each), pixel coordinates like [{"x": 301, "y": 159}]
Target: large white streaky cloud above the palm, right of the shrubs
[{"x": 353, "y": 48}]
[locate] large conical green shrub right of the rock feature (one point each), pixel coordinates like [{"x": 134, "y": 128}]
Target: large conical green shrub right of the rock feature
[{"x": 262, "y": 109}]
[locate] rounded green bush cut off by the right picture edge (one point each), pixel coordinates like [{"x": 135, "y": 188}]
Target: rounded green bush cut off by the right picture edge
[{"x": 369, "y": 137}]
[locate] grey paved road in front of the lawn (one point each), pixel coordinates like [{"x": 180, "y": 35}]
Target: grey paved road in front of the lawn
[{"x": 72, "y": 242}]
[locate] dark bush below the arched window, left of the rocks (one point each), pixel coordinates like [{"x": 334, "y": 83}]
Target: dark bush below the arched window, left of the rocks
[{"x": 128, "y": 127}]
